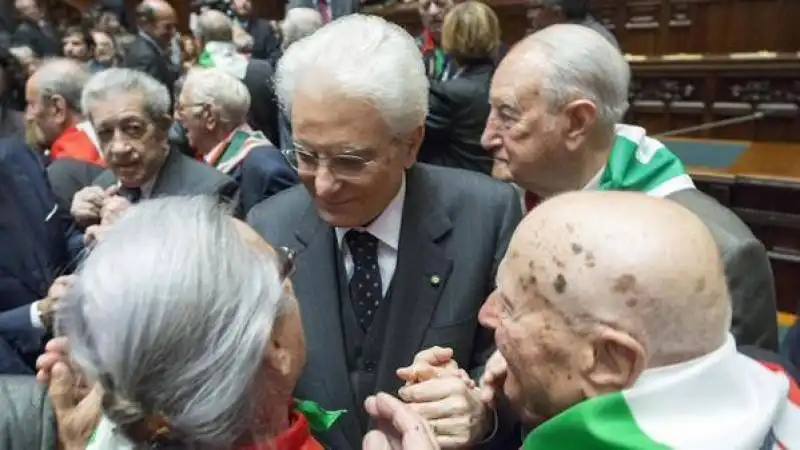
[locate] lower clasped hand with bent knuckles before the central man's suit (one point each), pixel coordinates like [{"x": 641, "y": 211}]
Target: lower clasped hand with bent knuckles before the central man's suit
[{"x": 453, "y": 409}]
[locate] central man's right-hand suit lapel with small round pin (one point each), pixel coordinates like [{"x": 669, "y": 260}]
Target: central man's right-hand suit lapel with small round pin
[{"x": 423, "y": 267}]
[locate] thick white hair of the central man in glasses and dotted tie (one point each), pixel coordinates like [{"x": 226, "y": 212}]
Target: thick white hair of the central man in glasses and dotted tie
[{"x": 364, "y": 57}]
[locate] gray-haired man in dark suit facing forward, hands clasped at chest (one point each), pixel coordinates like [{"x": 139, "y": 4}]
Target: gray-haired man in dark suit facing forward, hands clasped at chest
[{"x": 130, "y": 112}]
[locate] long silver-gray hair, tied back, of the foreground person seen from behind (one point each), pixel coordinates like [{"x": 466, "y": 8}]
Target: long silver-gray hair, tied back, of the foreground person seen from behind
[{"x": 172, "y": 313}]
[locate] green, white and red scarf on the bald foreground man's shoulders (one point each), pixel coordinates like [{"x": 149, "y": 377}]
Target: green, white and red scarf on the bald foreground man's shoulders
[{"x": 723, "y": 400}]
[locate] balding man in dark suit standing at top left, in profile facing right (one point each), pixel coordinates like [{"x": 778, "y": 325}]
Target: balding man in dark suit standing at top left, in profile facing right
[{"x": 149, "y": 52}]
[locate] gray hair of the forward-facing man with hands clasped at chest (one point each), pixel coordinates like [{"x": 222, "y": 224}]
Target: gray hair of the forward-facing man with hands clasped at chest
[{"x": 115, "y": 81}]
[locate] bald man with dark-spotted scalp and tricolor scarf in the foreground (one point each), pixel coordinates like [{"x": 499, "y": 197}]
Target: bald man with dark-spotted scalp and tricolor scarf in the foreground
[{"x": 611, "y": 318}]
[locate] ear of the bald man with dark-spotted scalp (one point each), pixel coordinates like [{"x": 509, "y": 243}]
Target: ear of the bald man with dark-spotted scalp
[{"x": 618, "y": 361}]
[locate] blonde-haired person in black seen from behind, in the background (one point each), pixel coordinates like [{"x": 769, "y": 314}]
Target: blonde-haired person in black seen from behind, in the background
[{"x": 459, "y": 107}]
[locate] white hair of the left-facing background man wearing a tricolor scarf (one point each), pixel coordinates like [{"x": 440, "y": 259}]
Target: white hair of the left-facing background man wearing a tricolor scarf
[{"x": 221, "y": 91}]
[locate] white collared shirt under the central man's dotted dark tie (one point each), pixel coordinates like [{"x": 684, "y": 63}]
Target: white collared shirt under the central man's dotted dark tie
[{"x": 386, "y": 228}]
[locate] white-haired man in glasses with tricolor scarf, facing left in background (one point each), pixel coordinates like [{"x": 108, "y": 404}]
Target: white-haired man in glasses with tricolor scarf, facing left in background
[{"x": 212, "y": 107}]
